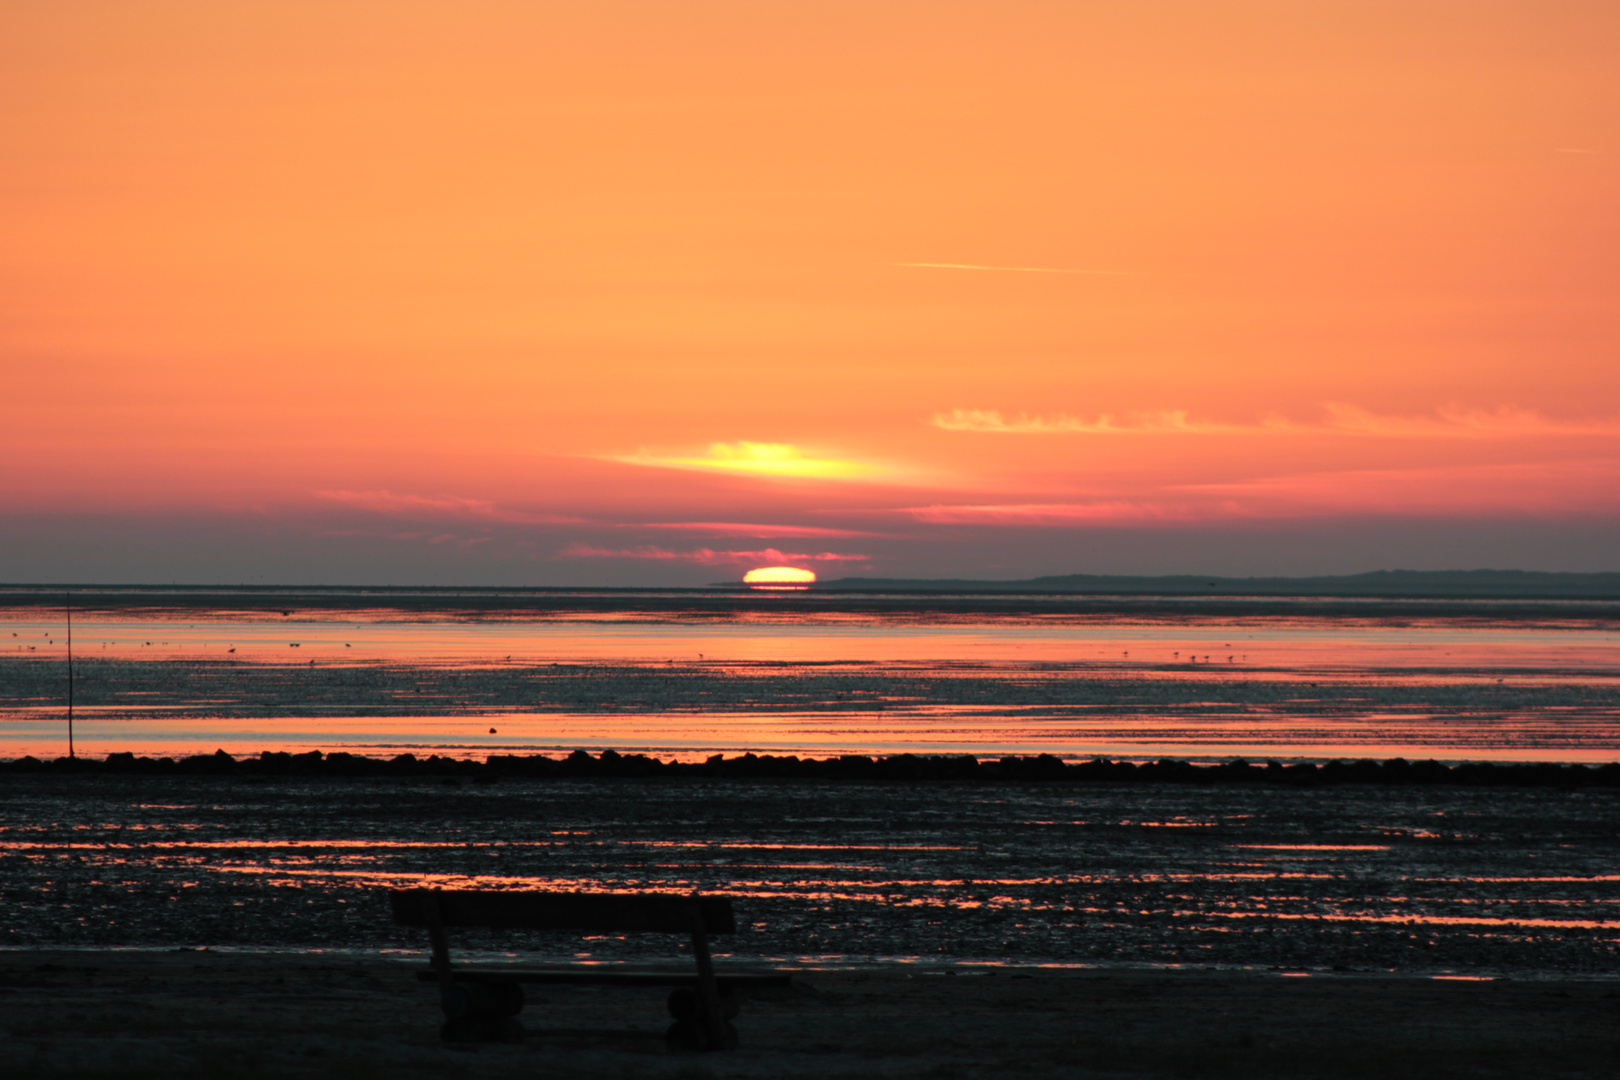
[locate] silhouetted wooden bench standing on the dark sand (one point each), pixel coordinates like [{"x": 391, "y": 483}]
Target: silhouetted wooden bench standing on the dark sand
[{"x": 484, "y": 1003}]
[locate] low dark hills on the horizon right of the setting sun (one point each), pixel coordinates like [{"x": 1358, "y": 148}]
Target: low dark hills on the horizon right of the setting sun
[{"x": 1378, "y": 584}]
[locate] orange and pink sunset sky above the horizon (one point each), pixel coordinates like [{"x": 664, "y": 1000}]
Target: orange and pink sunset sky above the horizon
[{"x": 657, "y": 294}]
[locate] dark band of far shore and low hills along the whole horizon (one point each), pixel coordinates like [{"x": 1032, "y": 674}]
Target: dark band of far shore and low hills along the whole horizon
[{"x": 1467, "y": 600}]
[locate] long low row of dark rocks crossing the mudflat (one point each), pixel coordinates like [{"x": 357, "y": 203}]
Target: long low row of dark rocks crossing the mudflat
[{"x": 848, "y": 768}]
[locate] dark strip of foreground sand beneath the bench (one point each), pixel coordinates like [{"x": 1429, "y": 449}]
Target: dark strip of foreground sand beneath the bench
[{"x": 203, "y": 1014}]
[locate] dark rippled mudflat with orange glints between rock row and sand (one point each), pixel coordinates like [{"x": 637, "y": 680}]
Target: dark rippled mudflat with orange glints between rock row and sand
[{"x": 1350, "y": 880}]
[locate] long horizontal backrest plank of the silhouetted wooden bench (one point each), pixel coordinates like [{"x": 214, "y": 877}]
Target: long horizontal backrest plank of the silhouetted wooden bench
[{"x": 578, "y": 912}]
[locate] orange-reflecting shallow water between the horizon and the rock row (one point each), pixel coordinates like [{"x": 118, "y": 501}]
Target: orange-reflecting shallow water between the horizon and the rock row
[{"x": 694, "y": 674}]
